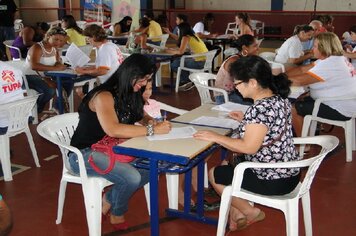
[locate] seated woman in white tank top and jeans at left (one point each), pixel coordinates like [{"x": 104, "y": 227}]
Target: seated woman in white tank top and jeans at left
[{"x": 43, "y": 56}]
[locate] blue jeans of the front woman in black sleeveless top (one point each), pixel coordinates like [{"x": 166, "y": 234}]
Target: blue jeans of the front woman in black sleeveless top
[{"x": 126, "y": 178}]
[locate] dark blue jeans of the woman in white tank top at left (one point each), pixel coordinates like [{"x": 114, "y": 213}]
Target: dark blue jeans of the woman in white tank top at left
[{"x": 35, "y": 82}]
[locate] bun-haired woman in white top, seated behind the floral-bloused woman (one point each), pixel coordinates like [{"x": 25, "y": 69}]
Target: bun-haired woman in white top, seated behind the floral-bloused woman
[{"x": 291, "y": 52}]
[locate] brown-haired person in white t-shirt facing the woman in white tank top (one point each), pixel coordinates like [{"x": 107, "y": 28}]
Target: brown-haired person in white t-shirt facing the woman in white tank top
[{"x": 108, "y": 56}]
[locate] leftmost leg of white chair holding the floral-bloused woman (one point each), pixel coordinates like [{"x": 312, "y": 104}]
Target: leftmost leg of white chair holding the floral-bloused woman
[{"x": 224, "y": 210}]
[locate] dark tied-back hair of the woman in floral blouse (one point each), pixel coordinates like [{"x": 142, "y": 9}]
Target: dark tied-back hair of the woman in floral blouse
[{"x": 255, "y": 67}]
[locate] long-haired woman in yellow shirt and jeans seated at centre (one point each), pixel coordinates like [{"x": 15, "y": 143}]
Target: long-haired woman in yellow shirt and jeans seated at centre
[{"x": 187, "y": 40}]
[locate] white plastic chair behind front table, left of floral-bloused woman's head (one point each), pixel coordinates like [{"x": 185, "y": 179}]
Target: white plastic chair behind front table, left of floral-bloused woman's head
[{"x": 201, "y": 81}]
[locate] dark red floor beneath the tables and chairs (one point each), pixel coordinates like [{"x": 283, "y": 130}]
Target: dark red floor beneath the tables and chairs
[{"x": 32, "y": 195}]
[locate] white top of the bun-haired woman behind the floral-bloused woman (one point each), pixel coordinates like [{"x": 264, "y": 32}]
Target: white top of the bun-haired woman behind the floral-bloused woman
[{"x": 291, "y": 48}]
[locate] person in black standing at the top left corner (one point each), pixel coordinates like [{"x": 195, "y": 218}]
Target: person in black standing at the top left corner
[{"x": 7, "y": 31}]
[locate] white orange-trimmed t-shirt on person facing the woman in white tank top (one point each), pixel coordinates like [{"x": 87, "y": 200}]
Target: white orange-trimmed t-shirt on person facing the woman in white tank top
[{"x": 109, "y": 56}]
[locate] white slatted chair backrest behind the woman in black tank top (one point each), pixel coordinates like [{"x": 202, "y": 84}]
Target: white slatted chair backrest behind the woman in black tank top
[{"x": 59, "y": 130}]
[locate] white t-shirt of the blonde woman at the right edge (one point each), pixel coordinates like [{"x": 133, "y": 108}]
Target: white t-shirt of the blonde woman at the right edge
[{"x": 337, "y": 78}]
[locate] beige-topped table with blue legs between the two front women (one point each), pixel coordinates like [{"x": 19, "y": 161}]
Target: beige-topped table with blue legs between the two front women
[{"x": 176, "y": 156}]
